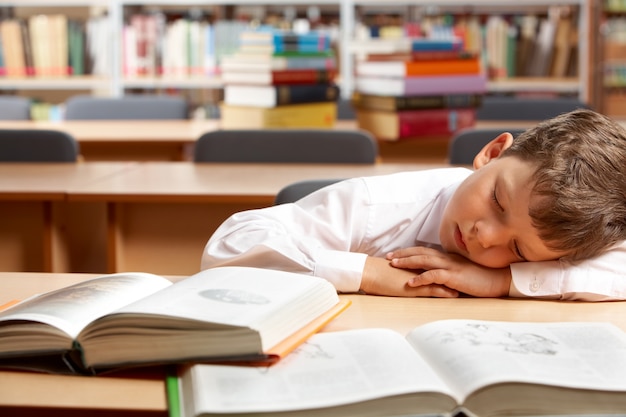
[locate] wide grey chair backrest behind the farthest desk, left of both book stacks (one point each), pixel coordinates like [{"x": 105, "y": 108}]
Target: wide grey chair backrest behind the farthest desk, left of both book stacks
[{"x": 137, "y": 107}]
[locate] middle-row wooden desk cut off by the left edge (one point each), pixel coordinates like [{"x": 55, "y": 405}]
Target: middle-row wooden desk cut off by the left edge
[{"x": 33, "y": 212}]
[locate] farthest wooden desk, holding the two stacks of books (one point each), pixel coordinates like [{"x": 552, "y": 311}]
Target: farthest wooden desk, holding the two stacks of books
[{"x": 173, "y": 140}]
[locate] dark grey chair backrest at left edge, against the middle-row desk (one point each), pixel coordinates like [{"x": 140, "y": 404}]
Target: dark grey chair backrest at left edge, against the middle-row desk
[{"x": 34, "y": 145}]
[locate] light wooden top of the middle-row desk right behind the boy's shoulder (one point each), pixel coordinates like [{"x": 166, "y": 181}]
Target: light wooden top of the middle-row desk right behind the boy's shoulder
[{"x": 206, "y": 182}]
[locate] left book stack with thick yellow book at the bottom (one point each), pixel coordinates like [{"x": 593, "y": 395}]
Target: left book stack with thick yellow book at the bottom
[{"x": 280, "y": 79}]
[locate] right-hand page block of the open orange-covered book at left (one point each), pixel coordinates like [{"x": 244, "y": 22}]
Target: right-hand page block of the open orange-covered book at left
[{"x": 273, "y": 302}]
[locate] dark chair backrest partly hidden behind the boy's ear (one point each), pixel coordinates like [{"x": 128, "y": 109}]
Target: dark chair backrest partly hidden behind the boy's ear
[{"x": 465, "y": 144}]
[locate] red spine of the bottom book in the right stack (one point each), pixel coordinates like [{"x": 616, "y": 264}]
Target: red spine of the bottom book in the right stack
[{"x": 434, "y": 122}]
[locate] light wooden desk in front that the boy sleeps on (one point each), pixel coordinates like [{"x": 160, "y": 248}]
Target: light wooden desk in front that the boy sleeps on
[{"x": 45, "y": 395}]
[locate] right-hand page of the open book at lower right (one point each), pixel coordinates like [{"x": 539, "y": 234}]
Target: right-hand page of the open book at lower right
[{"x": 470, "y": 354}]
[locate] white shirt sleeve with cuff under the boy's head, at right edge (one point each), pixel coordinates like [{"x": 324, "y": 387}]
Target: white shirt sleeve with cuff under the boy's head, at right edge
[{"x": 602, "y": 278}]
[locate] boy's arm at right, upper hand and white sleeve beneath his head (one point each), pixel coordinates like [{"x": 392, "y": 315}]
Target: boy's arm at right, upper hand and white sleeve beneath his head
[{"x": 598, "y": 279}]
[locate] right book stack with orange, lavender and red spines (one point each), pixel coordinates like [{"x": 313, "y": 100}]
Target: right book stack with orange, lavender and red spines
[{"x": 435, "y": 91}]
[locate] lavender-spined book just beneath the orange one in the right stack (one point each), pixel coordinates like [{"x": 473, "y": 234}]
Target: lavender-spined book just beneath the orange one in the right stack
[{"x": 422, "y": 85}]
